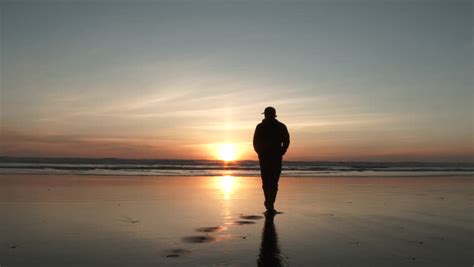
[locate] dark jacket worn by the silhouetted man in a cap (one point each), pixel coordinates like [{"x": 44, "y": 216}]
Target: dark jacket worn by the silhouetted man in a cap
[{"x": 271, "y": 138}]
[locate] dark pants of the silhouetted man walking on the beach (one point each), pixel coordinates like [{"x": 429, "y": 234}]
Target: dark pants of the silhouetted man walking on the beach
[{"x": 270, "y": 169}]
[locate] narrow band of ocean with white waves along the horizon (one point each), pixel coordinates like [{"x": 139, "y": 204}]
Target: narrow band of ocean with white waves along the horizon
[{"x": 162, "y": 167}]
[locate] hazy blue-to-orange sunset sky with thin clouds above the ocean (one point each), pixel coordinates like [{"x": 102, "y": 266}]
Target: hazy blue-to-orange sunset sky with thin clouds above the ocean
[{"x": 352, "y": 80}]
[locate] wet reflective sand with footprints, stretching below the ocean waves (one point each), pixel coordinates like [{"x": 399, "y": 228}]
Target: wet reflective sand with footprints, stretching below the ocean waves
[{"x": 176, "y": 221}]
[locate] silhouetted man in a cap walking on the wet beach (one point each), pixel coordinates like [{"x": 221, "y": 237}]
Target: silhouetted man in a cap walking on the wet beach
[{"x": 271, "y": 140}]
